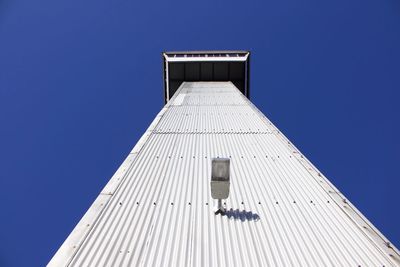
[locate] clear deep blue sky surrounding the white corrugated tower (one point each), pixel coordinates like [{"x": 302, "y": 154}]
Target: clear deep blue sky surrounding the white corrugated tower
[{"x": 80, "y": 81}]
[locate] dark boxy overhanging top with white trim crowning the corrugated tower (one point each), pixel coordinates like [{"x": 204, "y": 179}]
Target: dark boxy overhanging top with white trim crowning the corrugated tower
[{"x": 195, "y": 66}]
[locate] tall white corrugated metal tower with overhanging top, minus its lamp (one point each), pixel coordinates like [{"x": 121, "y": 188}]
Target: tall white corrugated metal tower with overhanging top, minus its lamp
[{"x": 157, "y": 209}]
